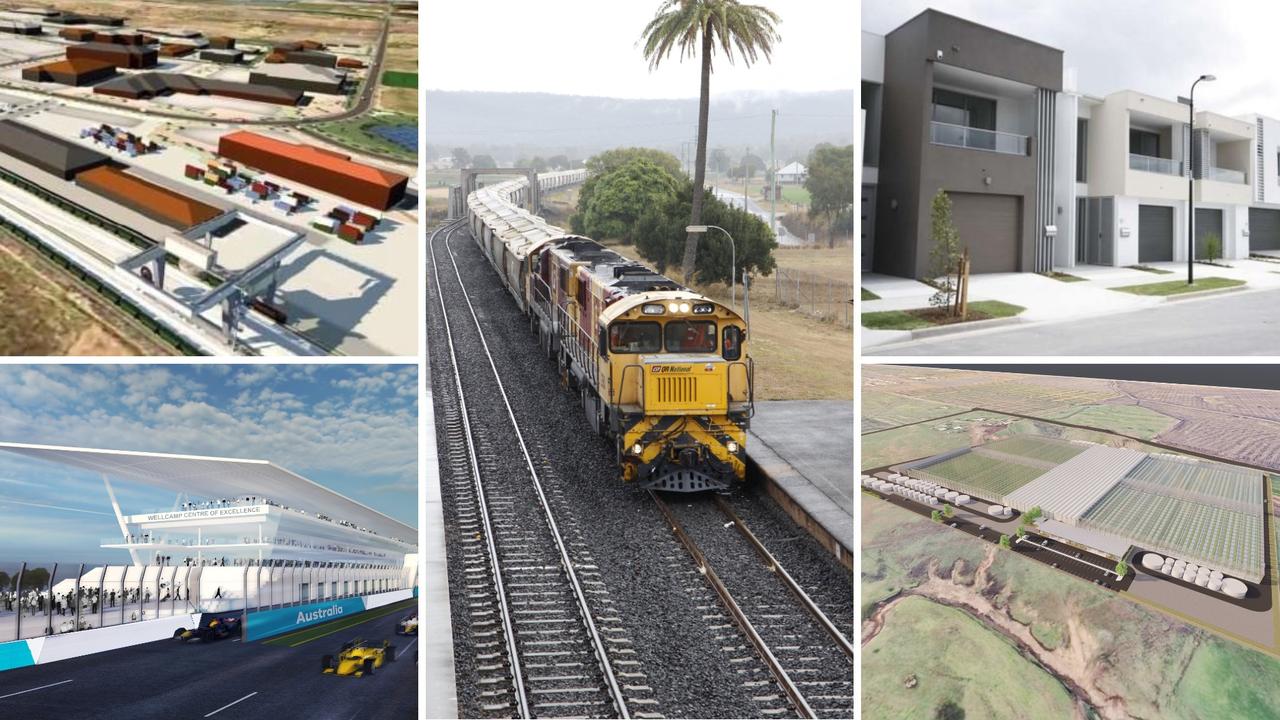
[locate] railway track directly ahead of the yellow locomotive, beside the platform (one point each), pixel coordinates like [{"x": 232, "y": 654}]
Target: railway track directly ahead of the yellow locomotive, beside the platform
[{"x": 808, "y": 655}]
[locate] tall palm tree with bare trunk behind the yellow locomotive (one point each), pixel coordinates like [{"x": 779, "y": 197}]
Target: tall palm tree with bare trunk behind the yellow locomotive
[{"x": 697, "y": 28}]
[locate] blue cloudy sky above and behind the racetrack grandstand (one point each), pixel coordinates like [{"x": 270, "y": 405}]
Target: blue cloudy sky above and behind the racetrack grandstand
[{"x": 353, "y": 429}]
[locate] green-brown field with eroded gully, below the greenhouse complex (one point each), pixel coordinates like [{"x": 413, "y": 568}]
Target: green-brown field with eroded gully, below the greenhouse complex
[{"x": 1124, "y": 659}]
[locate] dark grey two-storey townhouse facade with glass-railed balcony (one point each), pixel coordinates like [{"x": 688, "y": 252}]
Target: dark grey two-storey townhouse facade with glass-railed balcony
[{"x": 1003, "y": 200}]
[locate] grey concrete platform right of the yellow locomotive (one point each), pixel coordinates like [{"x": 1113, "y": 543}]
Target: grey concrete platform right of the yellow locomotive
[{"x": 804, "y": 452}]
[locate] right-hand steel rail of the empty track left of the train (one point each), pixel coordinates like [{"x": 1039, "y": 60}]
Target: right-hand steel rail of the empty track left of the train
[{"x": 611, "y": 681}]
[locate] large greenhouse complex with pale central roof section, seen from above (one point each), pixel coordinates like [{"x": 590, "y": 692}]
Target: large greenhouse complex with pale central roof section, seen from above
[{"x": 1197, "y": 512}]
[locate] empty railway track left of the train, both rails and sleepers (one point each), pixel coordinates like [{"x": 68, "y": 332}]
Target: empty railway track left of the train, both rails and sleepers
[{"x": 541, "y": 651}]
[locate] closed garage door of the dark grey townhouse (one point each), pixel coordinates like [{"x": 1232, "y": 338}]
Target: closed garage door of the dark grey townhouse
[{"x": 989, "y": 226}]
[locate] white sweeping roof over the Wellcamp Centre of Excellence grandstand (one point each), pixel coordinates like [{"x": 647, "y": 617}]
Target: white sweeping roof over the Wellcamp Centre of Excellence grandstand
[{"x": 220, "y": 477}]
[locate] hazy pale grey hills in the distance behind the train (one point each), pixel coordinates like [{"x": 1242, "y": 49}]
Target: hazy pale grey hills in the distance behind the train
[{"x": 513, "y": 125}]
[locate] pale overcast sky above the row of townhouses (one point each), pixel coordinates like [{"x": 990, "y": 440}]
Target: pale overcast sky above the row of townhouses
[{"x": 1154, "y": 47}]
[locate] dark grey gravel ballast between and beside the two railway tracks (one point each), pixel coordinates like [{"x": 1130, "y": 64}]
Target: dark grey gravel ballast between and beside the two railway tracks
[{"x": 676, "y": 666}]
